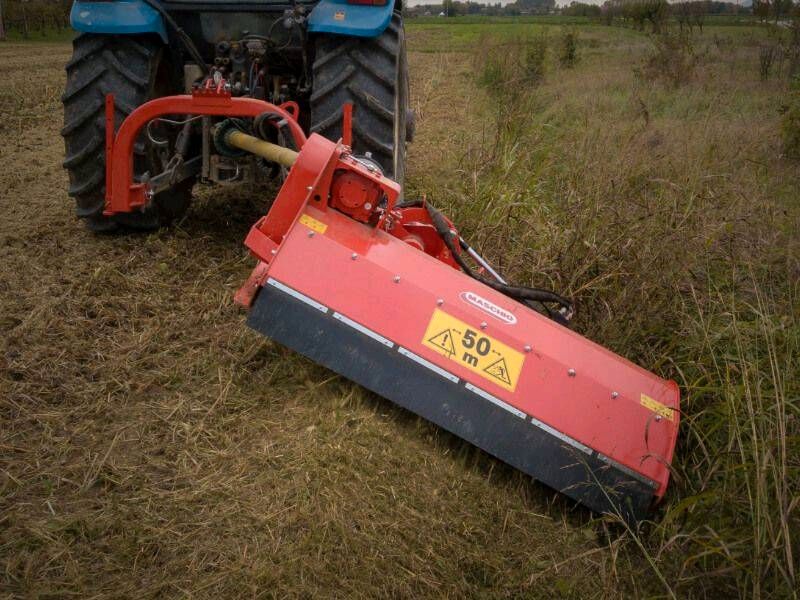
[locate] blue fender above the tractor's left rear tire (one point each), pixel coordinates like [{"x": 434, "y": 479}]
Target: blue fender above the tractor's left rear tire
[{"x": 120, "y": 17}]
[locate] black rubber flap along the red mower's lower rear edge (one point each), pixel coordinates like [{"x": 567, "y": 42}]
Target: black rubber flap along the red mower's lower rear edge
[{"x": 373, "y": 361}]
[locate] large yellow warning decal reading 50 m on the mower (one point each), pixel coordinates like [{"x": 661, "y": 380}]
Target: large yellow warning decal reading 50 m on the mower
[{"x": 474, "y": 350}]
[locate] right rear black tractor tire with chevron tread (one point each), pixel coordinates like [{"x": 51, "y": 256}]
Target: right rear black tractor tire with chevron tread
[{"x": 372, "y": 74}]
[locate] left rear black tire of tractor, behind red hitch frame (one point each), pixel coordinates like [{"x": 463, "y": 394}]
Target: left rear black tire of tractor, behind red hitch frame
[{"x": 133, "y": 68}]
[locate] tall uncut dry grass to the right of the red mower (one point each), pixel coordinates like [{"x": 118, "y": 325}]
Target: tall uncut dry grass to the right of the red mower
[{"x": 671, "y": 218}]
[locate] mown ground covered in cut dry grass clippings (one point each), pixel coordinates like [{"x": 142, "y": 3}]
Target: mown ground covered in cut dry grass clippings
[{"x": 152, "y": 445}]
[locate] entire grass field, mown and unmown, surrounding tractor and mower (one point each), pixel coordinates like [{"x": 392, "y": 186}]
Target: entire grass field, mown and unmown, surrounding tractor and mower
[{"x": 150, "y": 444}]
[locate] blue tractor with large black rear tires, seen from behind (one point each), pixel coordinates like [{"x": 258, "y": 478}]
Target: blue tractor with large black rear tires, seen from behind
[{"x": 317, "y": 55}]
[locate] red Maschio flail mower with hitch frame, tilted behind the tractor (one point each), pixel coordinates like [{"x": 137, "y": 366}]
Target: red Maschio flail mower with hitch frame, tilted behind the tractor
[{"x": 386, "y": 293}]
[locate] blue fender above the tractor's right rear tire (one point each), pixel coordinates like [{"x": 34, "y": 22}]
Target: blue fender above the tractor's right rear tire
[{"x": 358, "y": 20}]
